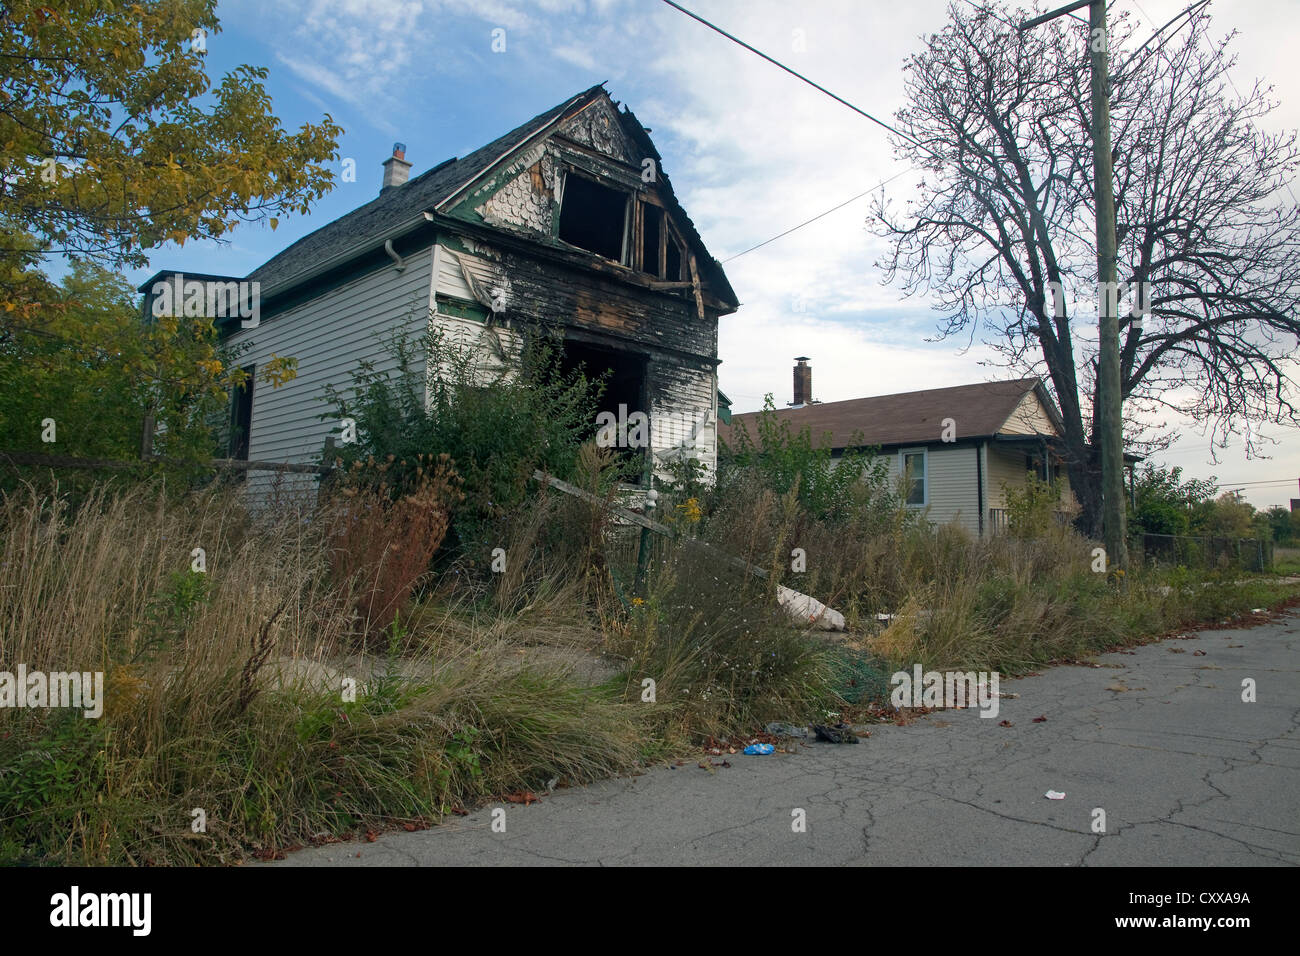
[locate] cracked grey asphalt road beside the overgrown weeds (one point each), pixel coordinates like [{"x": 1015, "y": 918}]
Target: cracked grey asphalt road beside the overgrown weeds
[{"x": 1186, "y": 772}]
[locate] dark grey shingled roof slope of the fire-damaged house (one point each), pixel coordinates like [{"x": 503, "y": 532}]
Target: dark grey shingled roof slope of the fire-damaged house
[{"x": 402, "y": 205}]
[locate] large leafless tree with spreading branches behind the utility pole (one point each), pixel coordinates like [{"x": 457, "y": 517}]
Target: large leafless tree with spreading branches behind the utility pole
[{"x": 1003, "y": 231}]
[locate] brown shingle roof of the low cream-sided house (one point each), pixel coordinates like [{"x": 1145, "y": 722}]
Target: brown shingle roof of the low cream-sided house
[{"x": 907, "y": 418}]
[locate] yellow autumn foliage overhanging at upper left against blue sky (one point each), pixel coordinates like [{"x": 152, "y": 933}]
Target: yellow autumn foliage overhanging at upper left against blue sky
[{"x": 115, "y": 141}]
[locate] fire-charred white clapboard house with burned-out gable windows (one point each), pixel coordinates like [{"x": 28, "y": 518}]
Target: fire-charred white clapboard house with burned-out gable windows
[{"x": 566, "y": 224}]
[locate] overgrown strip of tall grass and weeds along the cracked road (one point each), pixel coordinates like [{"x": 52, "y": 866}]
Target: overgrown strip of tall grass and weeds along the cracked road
[{"x": 227, "y": 689}]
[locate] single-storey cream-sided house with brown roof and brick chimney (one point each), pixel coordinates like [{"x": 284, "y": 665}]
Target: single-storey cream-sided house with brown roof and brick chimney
[{"x": 960, "y": 447}]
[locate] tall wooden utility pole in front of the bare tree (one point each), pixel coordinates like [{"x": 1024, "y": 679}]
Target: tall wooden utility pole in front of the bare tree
[{"x": 1111, "y": 412}]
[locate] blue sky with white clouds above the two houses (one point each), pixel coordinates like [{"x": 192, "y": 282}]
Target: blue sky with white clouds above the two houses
[{"x": 751, "y": 152}]
